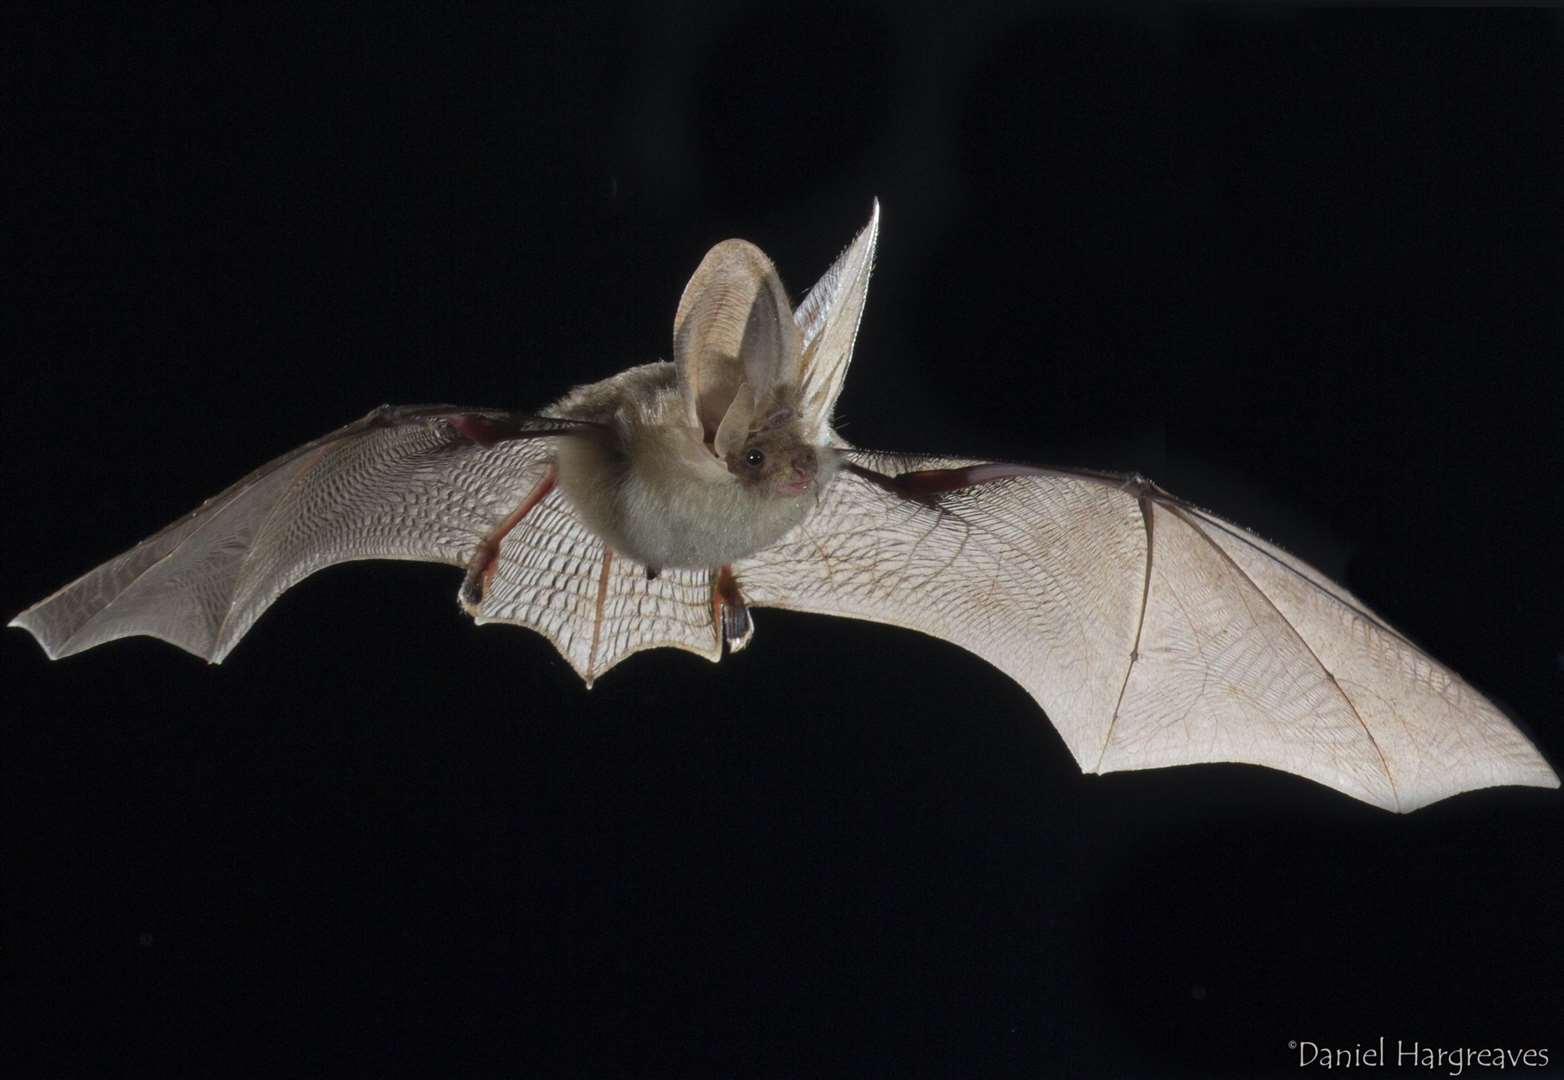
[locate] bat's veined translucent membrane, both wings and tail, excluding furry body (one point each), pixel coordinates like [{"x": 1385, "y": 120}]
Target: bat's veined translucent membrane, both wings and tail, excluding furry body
[{"x": 1150, "y": 632}]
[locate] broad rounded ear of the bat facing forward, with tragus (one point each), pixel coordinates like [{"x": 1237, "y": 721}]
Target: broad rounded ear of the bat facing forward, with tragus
[{"x": 733, "y": 332}]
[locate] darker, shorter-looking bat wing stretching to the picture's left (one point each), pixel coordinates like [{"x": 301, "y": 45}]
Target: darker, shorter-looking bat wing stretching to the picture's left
[{"x": 403, "y": 484}]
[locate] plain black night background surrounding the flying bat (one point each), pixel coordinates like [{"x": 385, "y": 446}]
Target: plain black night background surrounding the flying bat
[{"x": 1299, "y": 266}]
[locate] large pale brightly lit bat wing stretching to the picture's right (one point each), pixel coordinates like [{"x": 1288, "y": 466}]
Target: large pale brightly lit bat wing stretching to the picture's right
[{"x": 1152, "y": 634}]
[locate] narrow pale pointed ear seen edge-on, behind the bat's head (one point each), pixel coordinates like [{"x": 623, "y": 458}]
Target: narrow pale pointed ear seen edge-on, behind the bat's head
[{"x": 830, "y": 321}]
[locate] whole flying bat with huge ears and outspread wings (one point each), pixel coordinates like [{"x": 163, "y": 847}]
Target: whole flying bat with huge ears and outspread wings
[{"x": 659, "y": 507}]
